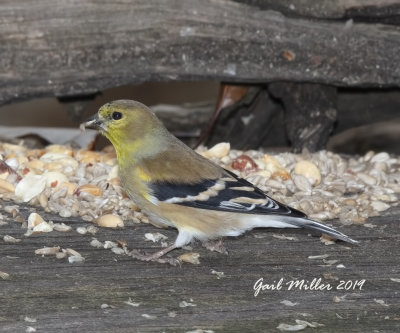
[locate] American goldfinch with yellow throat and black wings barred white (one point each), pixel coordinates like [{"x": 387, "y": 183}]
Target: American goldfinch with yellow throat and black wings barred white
[{"x": 176, "y": 187}]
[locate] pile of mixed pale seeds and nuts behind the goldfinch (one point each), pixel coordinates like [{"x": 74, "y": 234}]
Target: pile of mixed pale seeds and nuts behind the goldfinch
[{"x": 85, "y": 183}]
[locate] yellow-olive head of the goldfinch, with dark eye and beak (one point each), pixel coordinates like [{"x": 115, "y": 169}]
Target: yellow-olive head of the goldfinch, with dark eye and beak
[{"x": 129, "y": 125}]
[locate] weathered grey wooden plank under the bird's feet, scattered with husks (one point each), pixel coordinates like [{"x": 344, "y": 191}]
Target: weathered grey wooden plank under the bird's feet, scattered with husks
[{"x": 68, "y": 297}]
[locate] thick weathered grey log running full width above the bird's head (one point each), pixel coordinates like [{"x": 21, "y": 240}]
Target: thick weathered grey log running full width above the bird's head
[{"x": 82, "y": 47}]
